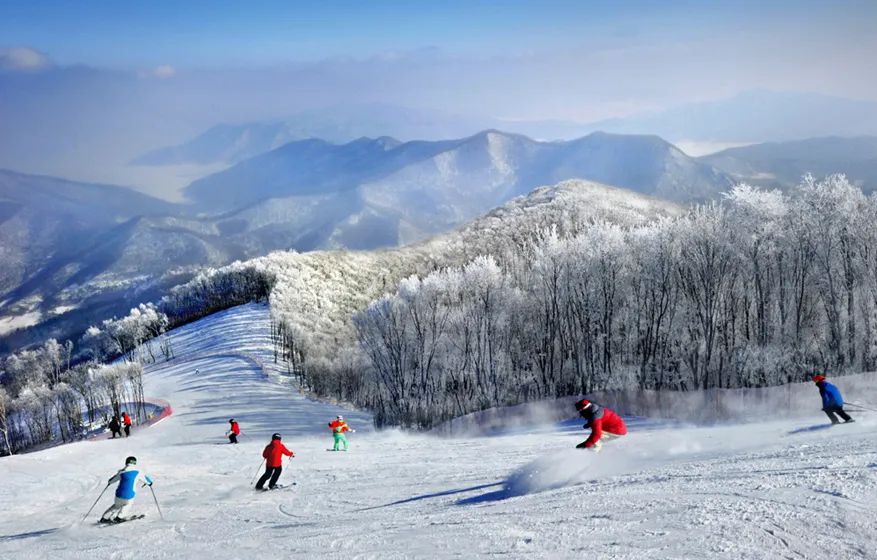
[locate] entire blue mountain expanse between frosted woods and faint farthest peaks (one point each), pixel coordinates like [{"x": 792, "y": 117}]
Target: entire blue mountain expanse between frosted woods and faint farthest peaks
[{"x": 75, "y": 253}]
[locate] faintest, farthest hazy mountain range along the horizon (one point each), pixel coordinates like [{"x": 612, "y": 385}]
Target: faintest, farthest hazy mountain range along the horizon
[{"x": 750, "y": 117}]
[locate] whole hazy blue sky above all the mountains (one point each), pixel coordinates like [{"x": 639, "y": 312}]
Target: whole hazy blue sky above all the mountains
[{"x": 85, "y": 86}]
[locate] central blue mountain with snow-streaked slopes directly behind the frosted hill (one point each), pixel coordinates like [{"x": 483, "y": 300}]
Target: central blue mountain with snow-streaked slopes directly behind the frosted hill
[{"x": 394, "y": 192}]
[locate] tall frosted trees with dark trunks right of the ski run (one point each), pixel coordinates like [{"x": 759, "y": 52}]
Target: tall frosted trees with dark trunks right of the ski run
[{"x": 761, "y": 289}]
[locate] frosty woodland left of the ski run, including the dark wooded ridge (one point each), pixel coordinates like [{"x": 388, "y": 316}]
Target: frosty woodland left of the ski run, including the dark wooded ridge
[{"x": 57, "y": 391}]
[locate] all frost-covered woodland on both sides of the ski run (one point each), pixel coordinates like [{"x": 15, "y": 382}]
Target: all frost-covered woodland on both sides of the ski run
[{"x": 573, "y": 289}]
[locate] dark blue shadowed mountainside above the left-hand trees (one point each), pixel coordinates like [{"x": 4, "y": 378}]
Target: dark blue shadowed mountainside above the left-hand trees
[{"x": 74, "y": 253}]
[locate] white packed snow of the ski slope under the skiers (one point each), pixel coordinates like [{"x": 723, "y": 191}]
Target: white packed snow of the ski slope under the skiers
[{"x": 772, "y": 489}]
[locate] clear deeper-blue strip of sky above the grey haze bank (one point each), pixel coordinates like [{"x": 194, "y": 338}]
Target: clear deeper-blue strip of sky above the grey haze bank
[{"x": 199, "y": 33}]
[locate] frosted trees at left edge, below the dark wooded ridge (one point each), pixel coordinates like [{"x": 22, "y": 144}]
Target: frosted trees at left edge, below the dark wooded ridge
[{"x": 55, "y": 391}]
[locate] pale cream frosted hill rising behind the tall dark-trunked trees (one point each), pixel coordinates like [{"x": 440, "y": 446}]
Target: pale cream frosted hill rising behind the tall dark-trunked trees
[{"x": 318, "y": 292}]
